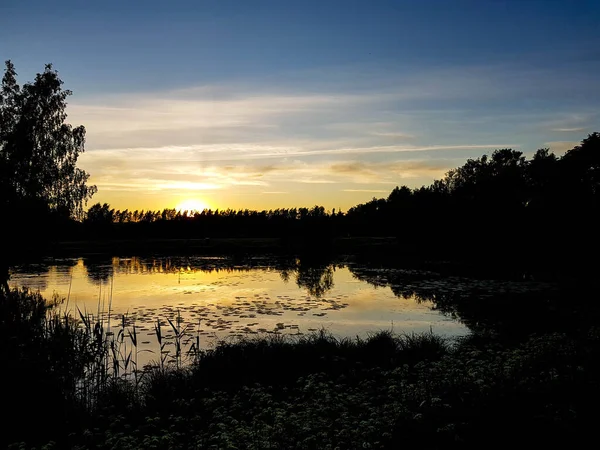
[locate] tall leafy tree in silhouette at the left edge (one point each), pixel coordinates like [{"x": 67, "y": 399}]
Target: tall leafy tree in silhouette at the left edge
[{"x": 38, "y": 149}]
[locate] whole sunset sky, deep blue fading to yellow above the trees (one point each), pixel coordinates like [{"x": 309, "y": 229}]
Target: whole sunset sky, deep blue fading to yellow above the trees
[{"x": 267, "y": 104}]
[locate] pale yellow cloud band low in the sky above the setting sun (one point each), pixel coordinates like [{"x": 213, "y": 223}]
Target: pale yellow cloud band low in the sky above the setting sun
[{"x": 153, "y": 170}]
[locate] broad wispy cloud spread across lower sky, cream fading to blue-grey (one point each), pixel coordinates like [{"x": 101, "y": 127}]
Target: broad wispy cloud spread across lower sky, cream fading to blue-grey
[{"x": 258, "y": 139}]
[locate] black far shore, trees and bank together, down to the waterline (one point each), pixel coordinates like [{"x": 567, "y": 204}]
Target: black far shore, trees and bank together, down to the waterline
[{"x": 538, "y": 214}]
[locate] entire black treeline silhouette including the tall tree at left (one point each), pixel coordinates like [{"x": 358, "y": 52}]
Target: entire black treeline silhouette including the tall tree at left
[{"x": 500, "y": 206}]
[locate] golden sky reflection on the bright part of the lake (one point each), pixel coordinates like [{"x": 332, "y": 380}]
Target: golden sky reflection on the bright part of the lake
[{"x": 318, "y": 292}]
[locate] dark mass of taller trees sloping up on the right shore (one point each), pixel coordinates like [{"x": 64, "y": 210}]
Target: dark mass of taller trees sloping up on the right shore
[{"x": 503, "y": 204}]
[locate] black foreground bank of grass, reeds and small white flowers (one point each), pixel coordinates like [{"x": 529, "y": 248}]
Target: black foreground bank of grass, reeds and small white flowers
[{"x": 63, "y": 388}]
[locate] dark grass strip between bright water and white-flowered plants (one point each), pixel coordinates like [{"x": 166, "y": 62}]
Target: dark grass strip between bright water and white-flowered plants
[{"x": 276, "y": 359}]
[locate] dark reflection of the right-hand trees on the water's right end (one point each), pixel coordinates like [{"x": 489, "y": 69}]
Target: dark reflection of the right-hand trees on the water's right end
[{"x": 509, "y": 308}]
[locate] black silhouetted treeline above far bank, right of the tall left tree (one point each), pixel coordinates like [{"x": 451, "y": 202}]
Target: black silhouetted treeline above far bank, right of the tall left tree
[{"x": 503, "y": 203}]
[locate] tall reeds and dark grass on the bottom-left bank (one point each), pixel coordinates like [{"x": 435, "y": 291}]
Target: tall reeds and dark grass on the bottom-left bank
[{"x": 73, "y": 364}]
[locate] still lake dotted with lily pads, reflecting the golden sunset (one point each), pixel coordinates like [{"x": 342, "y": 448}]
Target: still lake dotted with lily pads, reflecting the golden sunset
[{"x": 218, "y": 297}]
